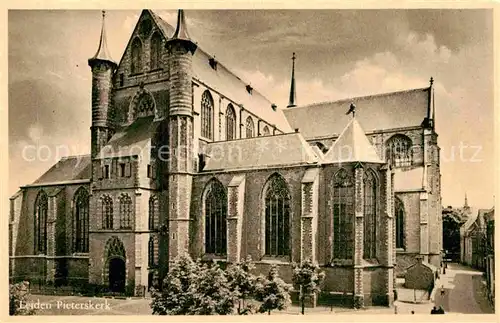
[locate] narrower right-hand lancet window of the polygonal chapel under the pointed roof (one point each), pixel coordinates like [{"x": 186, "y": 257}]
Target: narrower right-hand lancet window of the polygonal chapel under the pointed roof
[{"x": 370, "y": 216}]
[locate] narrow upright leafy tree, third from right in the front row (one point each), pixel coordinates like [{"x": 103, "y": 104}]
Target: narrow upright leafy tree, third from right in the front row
[{"x": 243, "y": 283}]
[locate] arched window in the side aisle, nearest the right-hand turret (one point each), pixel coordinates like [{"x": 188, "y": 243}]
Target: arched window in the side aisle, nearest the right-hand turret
[{"x": 215, "y": 218}]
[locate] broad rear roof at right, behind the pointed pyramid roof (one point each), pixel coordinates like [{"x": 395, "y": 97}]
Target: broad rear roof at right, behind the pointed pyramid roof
[{"x": 376, "y": 112}]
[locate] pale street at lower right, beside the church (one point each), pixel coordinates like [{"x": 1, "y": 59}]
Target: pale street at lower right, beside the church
[{"x": 464, "y": 291}]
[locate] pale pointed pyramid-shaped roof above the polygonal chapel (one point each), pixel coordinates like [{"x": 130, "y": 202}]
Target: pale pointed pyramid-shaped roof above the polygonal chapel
[{"x": 352, "y": 146}]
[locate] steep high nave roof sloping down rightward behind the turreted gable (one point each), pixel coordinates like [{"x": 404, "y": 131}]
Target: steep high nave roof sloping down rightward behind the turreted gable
[{"x": 229, "y": 84}]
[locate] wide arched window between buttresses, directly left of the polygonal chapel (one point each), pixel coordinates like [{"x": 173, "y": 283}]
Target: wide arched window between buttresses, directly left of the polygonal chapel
[{"x": 277, "y": 217}]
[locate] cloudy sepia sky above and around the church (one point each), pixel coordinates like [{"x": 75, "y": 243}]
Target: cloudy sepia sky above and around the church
[{"x": 340, "y": 54}]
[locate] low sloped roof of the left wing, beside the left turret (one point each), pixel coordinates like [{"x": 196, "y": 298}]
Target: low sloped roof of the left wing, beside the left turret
[{"x": 67, "y": 169}]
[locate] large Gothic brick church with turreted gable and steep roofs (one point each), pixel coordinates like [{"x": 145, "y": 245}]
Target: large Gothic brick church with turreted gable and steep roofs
[{"x": 188, "y": 158}]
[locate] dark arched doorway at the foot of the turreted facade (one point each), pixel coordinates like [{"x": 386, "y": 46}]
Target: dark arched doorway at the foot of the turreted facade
[{"x": 115, "y": 272}]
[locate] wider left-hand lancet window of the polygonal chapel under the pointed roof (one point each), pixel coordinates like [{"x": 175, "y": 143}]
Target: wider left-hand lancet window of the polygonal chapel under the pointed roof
[{"x": 343, "y": 215}]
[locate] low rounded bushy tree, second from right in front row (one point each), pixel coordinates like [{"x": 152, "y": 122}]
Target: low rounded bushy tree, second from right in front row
[{"x": 272, "y": 292}]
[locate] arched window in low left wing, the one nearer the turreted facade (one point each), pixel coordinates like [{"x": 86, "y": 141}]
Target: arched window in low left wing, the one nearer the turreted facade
[{"x": 81, "y": 221}]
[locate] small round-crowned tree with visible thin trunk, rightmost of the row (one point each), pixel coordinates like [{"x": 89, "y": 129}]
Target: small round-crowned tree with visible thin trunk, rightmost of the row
[{"x": 309, "y": 278}]
